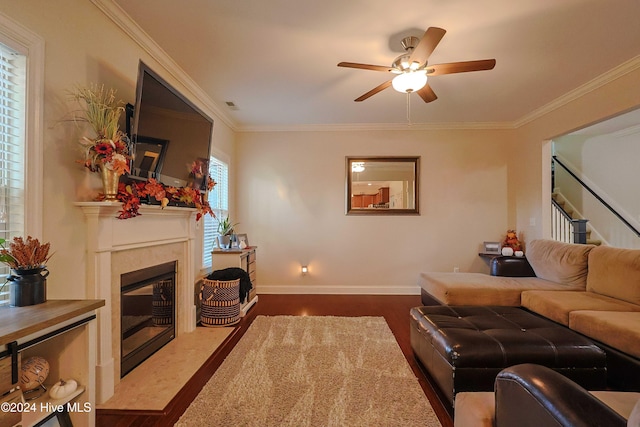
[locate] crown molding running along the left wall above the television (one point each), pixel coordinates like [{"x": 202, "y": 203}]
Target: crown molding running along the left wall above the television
[{"x": 114, "y": 12}]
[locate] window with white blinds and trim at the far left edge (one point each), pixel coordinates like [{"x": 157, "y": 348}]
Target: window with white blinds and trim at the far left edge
[{"x": 21, "y": 89}]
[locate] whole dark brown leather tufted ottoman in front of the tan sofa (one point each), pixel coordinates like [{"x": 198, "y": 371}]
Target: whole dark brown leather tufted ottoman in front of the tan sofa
[{"x": 463, "y": 348}]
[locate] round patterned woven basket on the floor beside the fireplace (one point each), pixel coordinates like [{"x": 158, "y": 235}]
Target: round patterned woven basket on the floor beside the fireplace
[{"x": 220, "y": 302}]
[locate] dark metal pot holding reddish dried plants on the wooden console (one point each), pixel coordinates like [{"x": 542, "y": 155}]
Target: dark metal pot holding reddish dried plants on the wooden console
[{"x": 28, "y": 287}]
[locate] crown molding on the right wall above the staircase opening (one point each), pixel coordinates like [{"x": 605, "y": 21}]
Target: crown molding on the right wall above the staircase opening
[{"x": 602, "y": 80}]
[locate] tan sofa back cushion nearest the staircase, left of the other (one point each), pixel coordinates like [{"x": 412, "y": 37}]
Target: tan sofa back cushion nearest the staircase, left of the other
[{"x": 563, "y": 263}]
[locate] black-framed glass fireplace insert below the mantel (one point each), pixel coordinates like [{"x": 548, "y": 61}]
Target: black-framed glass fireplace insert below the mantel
[{"x": 147, "y": 313}]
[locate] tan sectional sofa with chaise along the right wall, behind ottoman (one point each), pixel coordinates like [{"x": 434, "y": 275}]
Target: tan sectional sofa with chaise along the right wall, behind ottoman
[{"x": 593, "y": 290}]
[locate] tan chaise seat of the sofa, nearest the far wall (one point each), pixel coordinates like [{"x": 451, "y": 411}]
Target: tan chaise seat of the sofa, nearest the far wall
[{"x": 480, "y": 289}]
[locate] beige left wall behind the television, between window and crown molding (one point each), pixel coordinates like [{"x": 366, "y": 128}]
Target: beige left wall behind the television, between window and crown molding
[{"x": 82, "y": 46}]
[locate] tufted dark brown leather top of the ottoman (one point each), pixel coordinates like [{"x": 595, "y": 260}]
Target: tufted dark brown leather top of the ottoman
[{"x": 497, "y": 337}]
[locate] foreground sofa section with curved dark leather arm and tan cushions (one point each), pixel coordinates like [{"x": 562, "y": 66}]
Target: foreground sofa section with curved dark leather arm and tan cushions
[{"x": 529, "y": 395}]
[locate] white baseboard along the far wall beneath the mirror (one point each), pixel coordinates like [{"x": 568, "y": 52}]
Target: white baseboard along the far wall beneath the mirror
[{"x": 339, "y": 290}]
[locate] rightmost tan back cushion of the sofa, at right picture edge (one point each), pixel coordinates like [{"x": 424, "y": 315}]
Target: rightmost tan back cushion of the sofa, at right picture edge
[{"x": 615, "y": 272}]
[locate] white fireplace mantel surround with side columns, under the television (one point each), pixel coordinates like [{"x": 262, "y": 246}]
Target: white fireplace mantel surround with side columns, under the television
[{"x": 149, "y": 234}]
